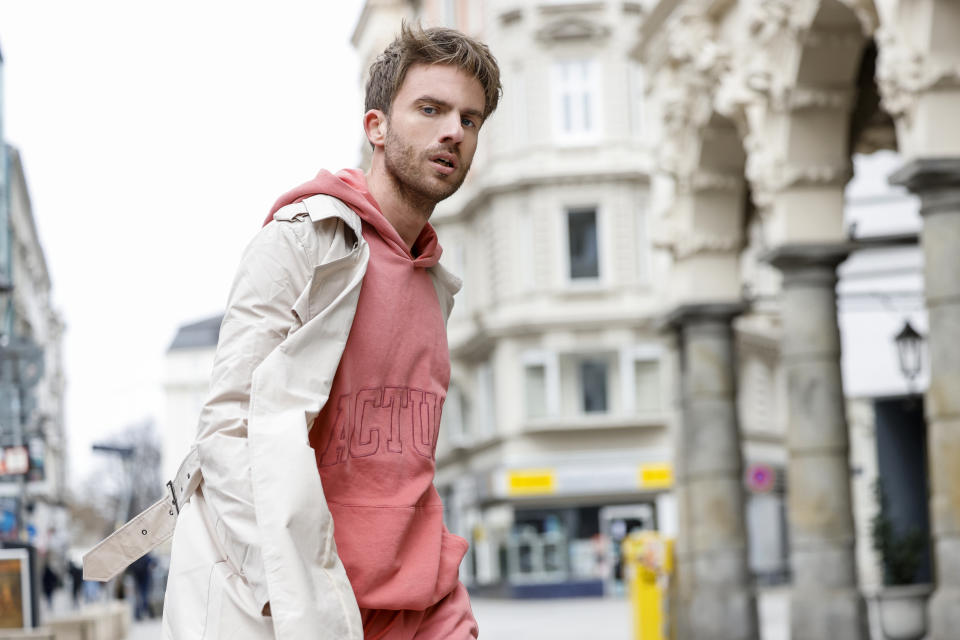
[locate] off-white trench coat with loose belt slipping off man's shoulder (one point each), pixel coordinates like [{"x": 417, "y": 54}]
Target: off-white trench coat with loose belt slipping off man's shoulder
[{"x": 253, "y": 525}]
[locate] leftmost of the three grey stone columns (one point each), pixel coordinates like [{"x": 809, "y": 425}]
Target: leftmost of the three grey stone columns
[{"x": 718, "y": 599}]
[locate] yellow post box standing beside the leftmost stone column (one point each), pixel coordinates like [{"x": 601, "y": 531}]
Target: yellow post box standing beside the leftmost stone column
[{"x": 649, "y": 563}]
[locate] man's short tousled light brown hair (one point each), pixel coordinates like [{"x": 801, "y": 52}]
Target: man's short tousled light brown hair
[{"x": 437, "y": 45}]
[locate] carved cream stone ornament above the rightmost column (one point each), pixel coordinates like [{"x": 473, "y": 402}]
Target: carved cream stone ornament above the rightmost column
[{"x": 903, "y": 73}]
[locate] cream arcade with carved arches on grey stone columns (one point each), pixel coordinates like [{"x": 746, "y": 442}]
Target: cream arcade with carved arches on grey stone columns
[{"x": 769, "y": 108}]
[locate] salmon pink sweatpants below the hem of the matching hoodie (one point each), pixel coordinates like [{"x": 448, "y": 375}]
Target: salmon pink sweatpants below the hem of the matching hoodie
[{"x": 450, "y": 619}]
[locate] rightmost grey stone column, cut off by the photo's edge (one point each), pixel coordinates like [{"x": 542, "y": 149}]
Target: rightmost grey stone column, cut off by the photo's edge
[{"x": 937, "y": 182}]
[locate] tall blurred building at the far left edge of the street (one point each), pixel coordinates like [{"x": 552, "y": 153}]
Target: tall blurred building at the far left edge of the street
[{"x": 33, "y": 489}]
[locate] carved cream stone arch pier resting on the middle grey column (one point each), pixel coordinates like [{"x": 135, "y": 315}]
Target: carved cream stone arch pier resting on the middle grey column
[{"x": 798, "y": 149}]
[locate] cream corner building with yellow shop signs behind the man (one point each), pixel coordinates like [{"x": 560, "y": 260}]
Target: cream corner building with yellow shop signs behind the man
[{"x": 556, "y": 436}]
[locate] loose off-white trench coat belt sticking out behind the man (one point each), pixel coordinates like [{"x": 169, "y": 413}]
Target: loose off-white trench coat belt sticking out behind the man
[{"x": 146, "y": 531}]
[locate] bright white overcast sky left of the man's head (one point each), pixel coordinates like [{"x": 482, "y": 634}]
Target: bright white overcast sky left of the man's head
[{"x": 155, "y": 136}]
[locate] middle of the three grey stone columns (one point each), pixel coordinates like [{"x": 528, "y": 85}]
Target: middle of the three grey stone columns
[{"x": 825, "y": 600}]
